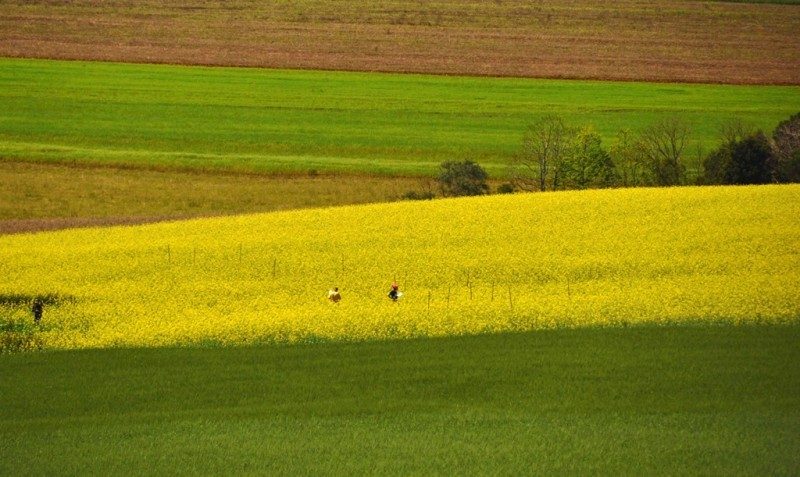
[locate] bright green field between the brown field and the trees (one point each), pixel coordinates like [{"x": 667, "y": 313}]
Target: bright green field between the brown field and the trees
[{"x": 296, "y": 121}]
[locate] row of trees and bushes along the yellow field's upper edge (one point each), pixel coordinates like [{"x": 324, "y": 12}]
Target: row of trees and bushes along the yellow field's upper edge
[{"x": 559, "y": 156}]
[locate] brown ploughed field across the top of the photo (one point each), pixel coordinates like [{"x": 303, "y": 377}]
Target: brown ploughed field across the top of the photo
[{"x": 653, "y": 40}]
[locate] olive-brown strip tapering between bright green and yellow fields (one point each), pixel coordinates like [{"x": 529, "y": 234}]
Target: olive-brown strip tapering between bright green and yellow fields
[{"x": 43, "y": 196}]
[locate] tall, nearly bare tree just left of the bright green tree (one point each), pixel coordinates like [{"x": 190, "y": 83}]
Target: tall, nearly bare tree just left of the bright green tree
[{"x": 546, "y": 147}]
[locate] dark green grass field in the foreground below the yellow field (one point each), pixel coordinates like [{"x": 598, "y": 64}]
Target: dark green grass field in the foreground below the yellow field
[{"x": 720, "y": 400}]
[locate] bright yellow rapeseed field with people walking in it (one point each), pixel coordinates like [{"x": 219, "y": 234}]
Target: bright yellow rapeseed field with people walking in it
[{"x": 475, "y": 265}]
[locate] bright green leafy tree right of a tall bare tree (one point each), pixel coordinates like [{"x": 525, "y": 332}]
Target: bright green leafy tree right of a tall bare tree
[{"x": 590, "y": 165}]
